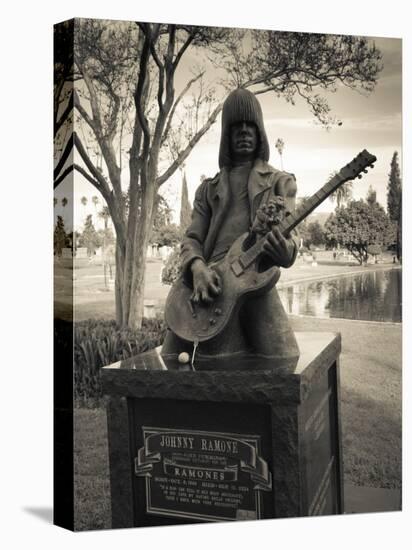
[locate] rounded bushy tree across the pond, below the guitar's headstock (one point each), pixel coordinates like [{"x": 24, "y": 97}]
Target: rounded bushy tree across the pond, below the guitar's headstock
[{"x": 357, "y": 226}]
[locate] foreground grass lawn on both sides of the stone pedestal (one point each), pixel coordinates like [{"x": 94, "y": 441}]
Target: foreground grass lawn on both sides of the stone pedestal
[{"x": 370, "y": 408}]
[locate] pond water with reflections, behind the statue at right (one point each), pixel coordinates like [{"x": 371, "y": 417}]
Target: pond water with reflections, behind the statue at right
[{"x": 368, "y": 296}]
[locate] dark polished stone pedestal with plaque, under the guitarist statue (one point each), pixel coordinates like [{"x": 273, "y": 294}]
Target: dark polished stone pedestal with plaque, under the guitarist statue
[{"x": 227, "y": 444}]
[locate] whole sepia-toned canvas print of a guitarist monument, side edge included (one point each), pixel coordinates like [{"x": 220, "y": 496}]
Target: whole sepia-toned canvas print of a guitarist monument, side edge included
[{"x": 227, "y": 274}]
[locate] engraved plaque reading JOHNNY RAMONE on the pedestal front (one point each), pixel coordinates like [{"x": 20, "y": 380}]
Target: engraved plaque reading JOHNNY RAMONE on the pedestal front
[{"x": 209, "y": 476}]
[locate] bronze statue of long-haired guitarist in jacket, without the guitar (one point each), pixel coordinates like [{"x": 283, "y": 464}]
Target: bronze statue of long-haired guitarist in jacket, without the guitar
[{"x": 227, "y": 206}]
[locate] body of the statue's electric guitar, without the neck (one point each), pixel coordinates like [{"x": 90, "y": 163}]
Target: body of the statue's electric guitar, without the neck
[{"x": 201, "y": 322}]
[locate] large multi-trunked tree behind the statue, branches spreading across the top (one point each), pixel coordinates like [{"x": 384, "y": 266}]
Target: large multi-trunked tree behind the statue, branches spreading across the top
[{"x": 127, "y": 83}]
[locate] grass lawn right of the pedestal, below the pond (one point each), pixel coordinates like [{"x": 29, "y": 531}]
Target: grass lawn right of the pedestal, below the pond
[{"x": 371, "y": 398}]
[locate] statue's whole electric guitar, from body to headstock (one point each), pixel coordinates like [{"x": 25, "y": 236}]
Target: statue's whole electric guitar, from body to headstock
[{"x": 240, "y": 270}]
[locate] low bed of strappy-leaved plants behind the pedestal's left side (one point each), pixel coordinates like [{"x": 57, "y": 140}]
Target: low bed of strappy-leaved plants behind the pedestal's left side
[{"x": 99, "y": 343}]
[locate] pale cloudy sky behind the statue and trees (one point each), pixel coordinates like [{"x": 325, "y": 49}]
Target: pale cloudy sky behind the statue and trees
[{"x": 372, "y": 122}]
